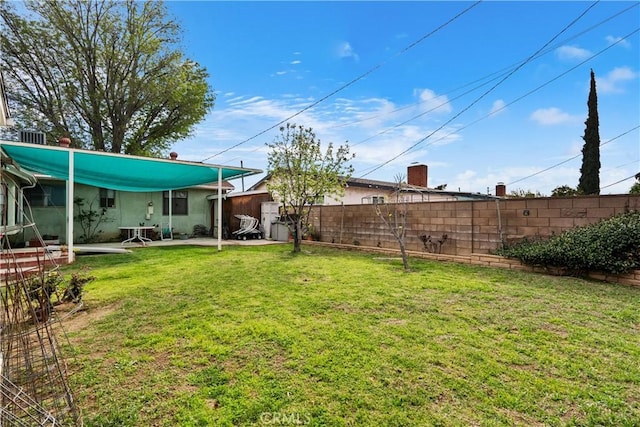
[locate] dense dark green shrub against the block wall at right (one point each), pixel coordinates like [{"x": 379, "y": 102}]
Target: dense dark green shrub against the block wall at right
[{"x": 611, "y": 245}]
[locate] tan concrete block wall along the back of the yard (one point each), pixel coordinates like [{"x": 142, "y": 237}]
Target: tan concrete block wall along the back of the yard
[{"x": 472, "y": 227}]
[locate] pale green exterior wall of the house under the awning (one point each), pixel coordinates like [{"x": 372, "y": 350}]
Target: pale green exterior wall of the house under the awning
[{"x": 130, "y": 209}]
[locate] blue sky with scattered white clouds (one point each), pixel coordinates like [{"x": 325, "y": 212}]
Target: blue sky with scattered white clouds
[{"x": 495, "y": 92}]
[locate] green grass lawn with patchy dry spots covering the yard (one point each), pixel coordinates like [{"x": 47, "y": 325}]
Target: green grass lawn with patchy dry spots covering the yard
[{"x": 188, "y": 336}]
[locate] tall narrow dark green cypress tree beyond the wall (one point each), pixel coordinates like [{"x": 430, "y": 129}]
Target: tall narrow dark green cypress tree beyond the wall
[{"x": 590, "y": 170}]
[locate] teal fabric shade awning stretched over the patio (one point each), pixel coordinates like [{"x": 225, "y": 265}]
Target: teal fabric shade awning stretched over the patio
[{"x": 118, "y": 171}]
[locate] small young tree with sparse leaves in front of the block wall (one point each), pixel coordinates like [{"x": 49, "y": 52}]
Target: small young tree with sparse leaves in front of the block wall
[{"x": 301, "y": 174}]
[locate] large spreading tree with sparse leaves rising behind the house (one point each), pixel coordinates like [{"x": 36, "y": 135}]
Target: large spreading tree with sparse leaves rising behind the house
[{"x": 109, "y": 74}]
